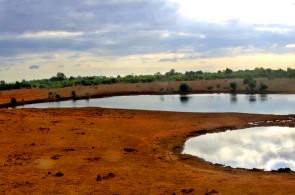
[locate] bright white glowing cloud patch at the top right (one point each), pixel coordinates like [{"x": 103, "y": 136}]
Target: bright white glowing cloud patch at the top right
[{"x": 248, "y": 11}]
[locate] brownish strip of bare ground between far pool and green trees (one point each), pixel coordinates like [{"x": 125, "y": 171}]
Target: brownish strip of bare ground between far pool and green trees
[{"x": 284, "y": 85}]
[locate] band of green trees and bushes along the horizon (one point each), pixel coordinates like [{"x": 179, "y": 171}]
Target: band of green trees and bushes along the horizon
[{"x": 60, "y": 80}]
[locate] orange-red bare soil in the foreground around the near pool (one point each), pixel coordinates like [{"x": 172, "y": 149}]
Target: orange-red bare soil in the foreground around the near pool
[{"x": 108, "y": 151}]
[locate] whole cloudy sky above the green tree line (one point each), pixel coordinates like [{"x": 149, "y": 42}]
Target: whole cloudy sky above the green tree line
[{"x": 39, "y": 38}]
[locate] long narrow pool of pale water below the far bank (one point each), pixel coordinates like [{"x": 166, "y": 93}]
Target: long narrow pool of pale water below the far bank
[{"x": 260, "y": 104}]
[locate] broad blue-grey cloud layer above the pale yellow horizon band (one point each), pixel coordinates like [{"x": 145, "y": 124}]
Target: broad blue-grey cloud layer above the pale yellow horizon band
[{"x": 127, "y": 27}]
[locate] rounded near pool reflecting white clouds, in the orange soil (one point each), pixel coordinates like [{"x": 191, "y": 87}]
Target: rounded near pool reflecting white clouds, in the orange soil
[{"x": 268, "y": 148}]
